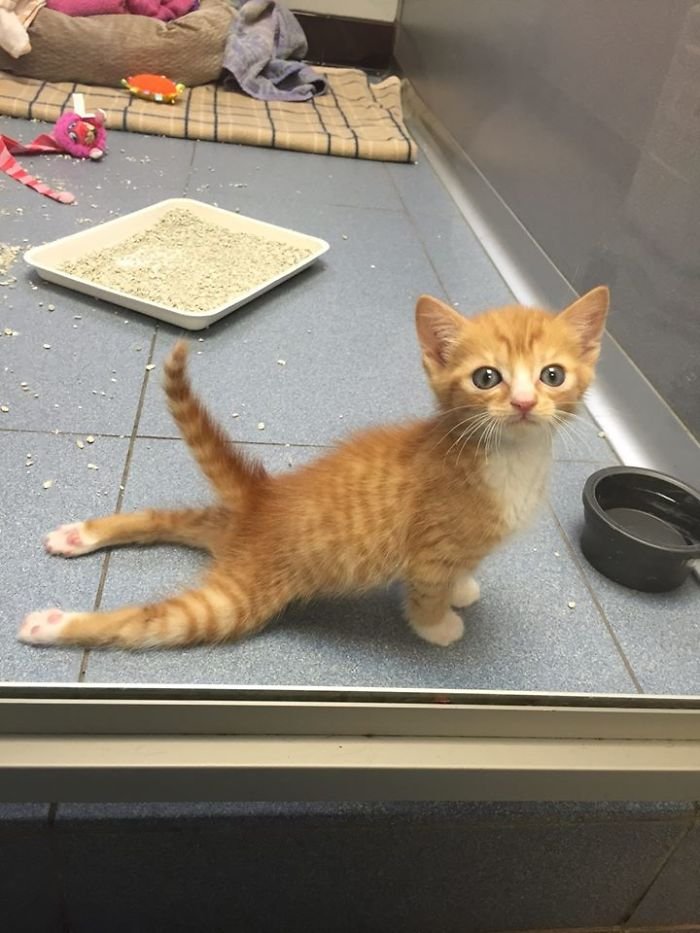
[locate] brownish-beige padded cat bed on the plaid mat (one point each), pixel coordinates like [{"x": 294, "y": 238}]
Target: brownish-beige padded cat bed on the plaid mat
[{"x": 101, "y": 50}]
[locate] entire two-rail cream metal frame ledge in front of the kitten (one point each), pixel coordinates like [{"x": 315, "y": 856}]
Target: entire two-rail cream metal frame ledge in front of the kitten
[{"x": 126, "y": 745}]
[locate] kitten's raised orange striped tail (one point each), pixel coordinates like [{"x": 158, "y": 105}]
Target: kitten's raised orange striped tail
[{"x": 233, "y": 475}]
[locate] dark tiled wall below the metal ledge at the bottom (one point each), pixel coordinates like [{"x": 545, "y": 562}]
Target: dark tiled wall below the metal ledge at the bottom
[{"x": 347, "y": 868}]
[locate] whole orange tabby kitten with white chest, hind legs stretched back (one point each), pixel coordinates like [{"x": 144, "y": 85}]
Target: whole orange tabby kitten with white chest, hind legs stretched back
[{"x": 423, "y": 502}]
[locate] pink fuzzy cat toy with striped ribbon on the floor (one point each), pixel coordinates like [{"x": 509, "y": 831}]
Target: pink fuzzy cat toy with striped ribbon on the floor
[{"x": 76, "y": 133}]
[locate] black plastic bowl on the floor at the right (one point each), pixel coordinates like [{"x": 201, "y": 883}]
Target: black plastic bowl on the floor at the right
[{"x": 642, "y": 529}]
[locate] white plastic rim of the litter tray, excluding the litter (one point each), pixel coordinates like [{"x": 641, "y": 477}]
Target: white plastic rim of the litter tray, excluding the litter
[{"x": 49, "y": 258}]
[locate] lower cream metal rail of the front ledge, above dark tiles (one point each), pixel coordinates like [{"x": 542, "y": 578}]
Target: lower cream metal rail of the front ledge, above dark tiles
[{"x": 250, "y": 769}]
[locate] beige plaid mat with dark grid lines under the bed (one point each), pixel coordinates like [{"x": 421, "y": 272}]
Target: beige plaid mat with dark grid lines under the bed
[{"x": 355, "y": 119}]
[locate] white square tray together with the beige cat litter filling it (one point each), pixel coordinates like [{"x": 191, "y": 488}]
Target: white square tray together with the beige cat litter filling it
[{"x": 181, "y": 261}]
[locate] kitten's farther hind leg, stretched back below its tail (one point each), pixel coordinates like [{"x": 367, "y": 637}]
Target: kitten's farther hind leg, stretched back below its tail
[{"x": 192, "y": 527}]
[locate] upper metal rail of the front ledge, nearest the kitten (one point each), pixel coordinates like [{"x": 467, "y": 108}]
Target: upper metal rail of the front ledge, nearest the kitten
[{"x": 198, "y": 712}]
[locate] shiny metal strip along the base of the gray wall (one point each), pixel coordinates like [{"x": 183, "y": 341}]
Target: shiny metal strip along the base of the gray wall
[{"x": 640, "y": 426}]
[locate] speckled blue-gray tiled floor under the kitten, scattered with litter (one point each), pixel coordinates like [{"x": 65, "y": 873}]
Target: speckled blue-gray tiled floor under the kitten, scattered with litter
[{"x": 345, "y": 331}]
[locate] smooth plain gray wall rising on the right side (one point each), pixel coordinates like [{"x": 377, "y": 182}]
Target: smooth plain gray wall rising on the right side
[{"x": 585, "y": 117}]
